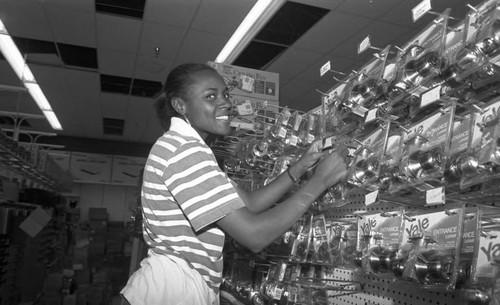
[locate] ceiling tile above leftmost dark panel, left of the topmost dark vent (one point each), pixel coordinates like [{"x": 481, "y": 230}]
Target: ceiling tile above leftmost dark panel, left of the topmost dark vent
[{"x": 72, "y": 26}]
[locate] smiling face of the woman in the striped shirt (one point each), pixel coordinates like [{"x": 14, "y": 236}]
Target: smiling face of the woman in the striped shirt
[{"x": 207, "y": 104}]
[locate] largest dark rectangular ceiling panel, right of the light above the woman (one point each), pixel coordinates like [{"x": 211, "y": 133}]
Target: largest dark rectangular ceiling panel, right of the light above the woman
[{"x": 287, "y": 25}]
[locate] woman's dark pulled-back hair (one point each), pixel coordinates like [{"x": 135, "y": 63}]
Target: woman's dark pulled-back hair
[{"x": 176, "y": 85}]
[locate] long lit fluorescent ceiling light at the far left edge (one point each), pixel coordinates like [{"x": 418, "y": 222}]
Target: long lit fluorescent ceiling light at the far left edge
[{"x": 16, "y": 61}]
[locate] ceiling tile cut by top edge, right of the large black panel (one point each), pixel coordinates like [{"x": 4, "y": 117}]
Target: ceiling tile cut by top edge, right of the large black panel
[{"x": 367, "y": 8}]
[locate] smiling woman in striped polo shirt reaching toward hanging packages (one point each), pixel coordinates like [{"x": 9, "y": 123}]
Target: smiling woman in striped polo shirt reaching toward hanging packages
[{"x": 189, "y": 204}]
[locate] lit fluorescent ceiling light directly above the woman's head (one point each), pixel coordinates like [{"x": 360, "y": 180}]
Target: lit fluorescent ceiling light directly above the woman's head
[{"x": 260, "y": 13}]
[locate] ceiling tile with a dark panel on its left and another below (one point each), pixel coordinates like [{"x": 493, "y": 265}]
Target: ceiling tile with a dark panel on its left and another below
[{"x": 115, "y": 62}]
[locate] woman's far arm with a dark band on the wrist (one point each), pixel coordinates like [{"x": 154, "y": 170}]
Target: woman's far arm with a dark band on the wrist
[{"x": 263, "y": 198}]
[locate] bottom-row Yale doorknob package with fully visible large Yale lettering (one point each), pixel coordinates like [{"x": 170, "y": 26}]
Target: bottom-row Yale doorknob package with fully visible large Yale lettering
[{"x": 433, "y": 260}]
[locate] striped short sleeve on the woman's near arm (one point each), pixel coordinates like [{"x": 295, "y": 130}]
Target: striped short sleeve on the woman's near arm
[{"x": 202, "y": 190}]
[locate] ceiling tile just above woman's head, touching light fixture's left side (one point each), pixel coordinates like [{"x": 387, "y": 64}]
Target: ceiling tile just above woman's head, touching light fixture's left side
[{"x": 210, "y": 44}]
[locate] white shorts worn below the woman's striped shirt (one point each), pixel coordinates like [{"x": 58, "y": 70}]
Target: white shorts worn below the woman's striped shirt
[{"x": 165, "y": 280}]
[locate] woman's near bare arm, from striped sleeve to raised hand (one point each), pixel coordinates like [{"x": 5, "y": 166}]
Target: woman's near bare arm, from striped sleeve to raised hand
[{"x": 256, "y": 231}]
